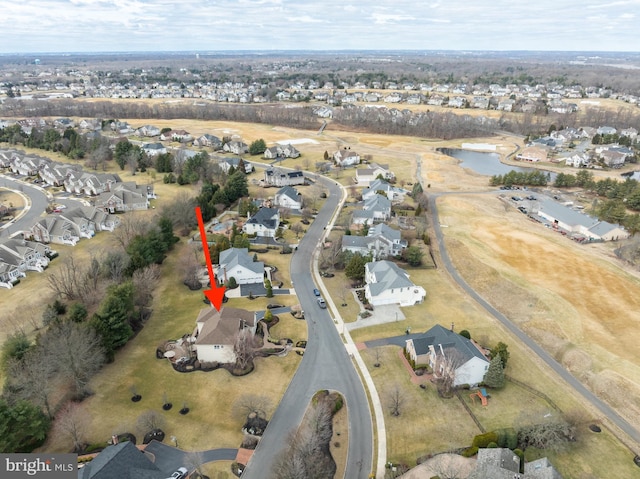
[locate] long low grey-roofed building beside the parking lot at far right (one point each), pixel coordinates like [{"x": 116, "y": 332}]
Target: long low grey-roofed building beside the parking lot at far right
[{"x": 574, "y": 221}]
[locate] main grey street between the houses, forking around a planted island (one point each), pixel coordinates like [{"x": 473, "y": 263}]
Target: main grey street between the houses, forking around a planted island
[{"x": 325, "y": 365}]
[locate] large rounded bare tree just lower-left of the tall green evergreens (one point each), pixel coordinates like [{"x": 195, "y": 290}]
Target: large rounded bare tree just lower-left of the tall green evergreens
[{"x": 76, "y": 350}]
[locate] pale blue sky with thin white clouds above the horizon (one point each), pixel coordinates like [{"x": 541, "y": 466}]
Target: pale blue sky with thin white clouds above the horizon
[{"x": 30, "y": 26}]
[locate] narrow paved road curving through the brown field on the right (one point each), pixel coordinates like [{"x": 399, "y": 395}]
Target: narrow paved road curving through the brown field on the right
[{"x": 604, "y": 408}]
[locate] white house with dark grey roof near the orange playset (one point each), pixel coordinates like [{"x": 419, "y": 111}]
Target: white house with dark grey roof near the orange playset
[{"x": 441, "y": 348}]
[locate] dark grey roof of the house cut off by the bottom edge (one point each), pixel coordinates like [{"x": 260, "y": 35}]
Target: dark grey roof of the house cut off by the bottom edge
[{"x": 122, "y": 460}]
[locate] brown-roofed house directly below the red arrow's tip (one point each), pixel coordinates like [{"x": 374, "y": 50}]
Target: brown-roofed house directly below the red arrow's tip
[{"x": 216, "y": 333}]
